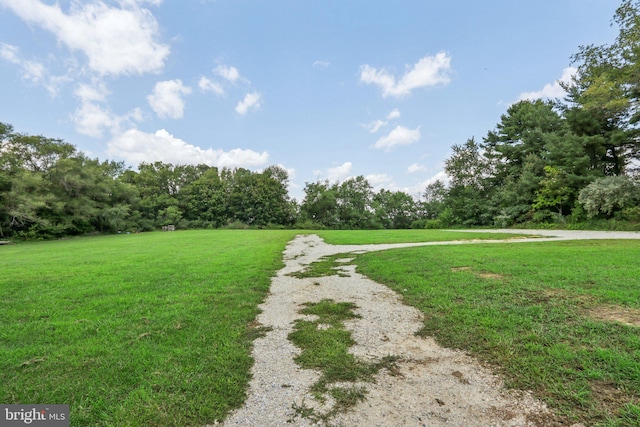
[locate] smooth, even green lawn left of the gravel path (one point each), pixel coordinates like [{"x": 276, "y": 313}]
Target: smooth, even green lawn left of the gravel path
[{"x": 134, "y": 330}]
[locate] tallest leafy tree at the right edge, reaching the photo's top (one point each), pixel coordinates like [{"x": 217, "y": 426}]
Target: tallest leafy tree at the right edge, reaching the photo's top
[{"x": 604, "y": 94}]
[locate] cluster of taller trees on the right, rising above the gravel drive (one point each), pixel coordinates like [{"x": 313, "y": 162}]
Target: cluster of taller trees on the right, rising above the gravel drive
[{"x": 560, "y": 161}]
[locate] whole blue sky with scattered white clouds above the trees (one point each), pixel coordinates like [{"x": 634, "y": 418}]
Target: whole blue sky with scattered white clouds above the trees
[{"x": 327, "y": 89}]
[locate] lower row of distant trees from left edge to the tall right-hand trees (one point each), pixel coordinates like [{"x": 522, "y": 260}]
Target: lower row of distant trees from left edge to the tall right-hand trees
[{"x": 49, "y": 189}]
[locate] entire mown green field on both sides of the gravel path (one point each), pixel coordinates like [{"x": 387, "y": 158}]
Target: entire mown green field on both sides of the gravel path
[{"x": 155, "y": 329}]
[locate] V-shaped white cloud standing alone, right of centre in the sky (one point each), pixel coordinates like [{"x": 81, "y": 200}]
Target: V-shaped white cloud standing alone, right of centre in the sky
[{"x": 429, "y": 71}]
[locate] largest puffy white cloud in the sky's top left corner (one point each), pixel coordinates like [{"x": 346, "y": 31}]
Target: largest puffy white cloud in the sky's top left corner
[{"x": 115, "y": 40}]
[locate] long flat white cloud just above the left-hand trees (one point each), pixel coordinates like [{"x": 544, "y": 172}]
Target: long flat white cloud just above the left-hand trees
[{"x": 135, "y": 146}]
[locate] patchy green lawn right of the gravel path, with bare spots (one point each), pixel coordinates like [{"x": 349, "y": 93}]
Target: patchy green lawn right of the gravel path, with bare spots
[{"x": 527, "y": 309}]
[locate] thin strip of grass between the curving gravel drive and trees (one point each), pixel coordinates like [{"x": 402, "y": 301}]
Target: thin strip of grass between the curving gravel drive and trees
[{"x": 365, "y": 237}]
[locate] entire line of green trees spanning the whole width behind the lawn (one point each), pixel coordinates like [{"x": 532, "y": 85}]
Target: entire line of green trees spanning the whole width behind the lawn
[{"x": 562, "y": 161}]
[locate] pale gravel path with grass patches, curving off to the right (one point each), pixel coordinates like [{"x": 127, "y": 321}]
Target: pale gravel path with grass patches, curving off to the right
[{"x": 434, "y": 386}]
